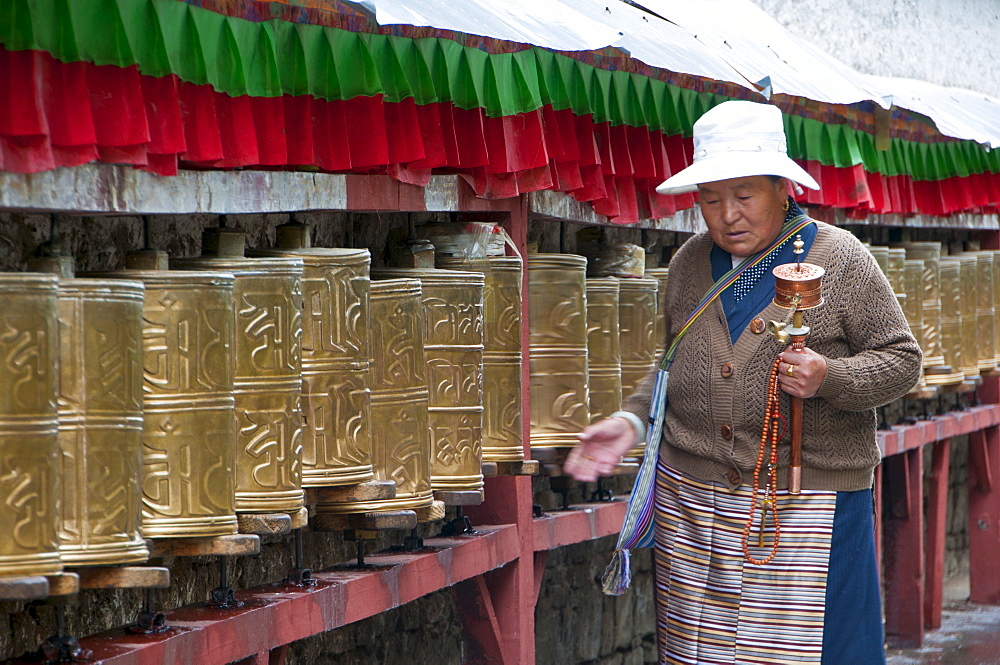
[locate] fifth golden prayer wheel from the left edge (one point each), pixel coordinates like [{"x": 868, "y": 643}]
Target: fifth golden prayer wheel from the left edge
[{"x": 336, "y": 436}]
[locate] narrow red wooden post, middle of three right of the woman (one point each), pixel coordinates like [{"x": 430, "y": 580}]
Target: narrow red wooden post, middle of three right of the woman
[{"x": 937, "y": 523}]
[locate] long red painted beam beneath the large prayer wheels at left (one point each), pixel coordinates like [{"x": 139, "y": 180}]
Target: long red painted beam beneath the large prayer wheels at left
[{"x": 275, "y": 615}]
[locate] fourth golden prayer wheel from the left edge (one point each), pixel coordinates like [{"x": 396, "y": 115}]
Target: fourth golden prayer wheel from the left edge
[{"x": 267, "y": 380}]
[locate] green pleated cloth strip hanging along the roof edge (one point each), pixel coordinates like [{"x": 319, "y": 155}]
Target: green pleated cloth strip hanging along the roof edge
[{"x": 273, "y": 58}]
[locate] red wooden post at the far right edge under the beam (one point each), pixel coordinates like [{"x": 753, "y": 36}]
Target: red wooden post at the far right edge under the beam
[{"x": 984, "y": 516}]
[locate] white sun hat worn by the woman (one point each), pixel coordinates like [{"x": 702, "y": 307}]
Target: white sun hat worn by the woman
[{"x": 737, "y": 139}]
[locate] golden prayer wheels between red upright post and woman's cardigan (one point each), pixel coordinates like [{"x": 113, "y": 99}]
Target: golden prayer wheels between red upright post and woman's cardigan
[{"x": 591, "y": 341}]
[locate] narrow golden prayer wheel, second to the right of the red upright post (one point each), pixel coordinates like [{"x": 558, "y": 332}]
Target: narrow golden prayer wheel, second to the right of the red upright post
[{"x": 604, "y": 370}]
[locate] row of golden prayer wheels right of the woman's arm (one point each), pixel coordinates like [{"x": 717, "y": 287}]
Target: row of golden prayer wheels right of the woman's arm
[{"x": 950, "y": 302}]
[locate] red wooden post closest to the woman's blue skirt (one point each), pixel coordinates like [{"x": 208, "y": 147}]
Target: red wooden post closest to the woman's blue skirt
[{"x": 904, "y": 561}]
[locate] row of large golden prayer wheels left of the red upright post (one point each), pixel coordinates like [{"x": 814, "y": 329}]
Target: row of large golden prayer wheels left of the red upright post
[{"x": 168, "y": 400}]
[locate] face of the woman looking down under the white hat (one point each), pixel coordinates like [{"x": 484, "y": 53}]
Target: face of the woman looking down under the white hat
[{"x": 744, "y": 215}]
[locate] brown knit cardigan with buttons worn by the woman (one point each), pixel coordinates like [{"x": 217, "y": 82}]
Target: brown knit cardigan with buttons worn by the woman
[{"x": 872, "y": 359}]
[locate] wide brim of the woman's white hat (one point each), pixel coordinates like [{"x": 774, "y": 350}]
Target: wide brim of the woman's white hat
[{"x": 735, "y": 165}]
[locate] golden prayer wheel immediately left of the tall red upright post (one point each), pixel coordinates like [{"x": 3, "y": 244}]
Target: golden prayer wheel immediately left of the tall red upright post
[{"x": 502, "y": 434}]
